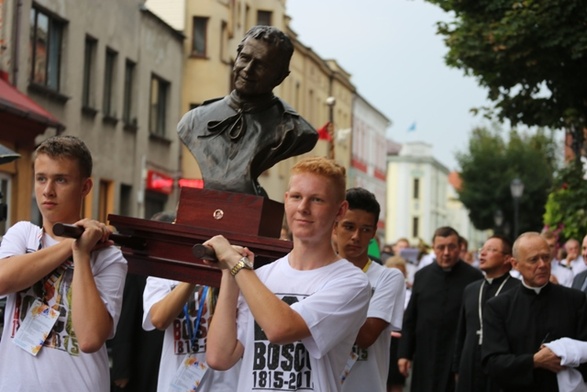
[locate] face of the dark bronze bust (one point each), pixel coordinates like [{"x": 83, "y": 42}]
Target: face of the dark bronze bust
[{"x": 256, "y": 70}]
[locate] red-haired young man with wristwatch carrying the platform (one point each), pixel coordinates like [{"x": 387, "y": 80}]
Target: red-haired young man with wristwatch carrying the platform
[{"x": 293, "y": 321}]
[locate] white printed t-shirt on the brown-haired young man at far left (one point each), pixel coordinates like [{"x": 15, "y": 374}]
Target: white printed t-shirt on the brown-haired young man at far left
[{"x": 60, "y": 365}]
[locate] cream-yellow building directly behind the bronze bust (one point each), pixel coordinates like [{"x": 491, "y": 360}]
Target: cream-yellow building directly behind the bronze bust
[{"x": 213, "y": 30}]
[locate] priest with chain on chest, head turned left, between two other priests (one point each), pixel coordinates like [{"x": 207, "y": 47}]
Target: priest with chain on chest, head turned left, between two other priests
[{"x": 495, "y": 262}]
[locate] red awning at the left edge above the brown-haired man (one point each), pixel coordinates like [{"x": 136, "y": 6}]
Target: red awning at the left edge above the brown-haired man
[{"x": 21, "y": 115}]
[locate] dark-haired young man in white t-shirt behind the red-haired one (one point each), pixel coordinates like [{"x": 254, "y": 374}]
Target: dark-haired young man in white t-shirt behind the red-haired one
[{"x": 352, "y": 234}]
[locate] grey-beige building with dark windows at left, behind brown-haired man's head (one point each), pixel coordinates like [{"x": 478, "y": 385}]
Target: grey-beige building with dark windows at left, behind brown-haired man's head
[{"x": 109, "y": 72}]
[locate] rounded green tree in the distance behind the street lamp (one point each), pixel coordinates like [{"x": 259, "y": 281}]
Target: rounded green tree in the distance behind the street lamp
[{"x": 490, "y": 164}]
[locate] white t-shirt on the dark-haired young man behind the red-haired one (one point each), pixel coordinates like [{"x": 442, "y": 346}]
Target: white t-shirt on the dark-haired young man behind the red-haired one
[{"x": 369, "y": 373}]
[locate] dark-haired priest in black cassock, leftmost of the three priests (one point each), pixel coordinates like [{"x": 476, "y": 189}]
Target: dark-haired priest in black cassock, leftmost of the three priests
[{"x": 430, "y": 320}]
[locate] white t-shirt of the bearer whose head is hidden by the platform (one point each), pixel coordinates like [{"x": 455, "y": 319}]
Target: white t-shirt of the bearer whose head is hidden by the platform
[{"x": 177, "y": 338}]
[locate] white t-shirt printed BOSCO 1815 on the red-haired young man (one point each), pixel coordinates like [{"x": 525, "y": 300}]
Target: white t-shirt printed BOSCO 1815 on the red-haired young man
[{"x": 333, "y": 302}]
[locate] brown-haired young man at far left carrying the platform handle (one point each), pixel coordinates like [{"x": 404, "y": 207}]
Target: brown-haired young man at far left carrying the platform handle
[{"x": 63, "y": 295}]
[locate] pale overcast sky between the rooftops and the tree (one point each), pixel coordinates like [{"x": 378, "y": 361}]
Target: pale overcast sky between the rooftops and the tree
[{"x": 391, "y": 49}]
